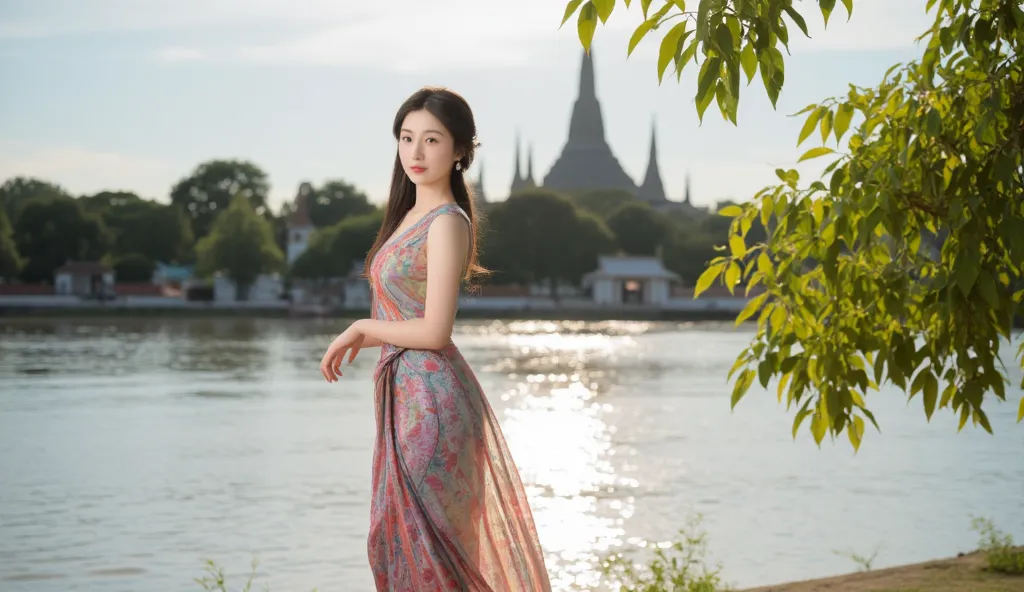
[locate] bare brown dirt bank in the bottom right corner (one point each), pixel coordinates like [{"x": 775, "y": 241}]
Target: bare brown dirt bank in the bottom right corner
[{"x": 965, "y": 574}]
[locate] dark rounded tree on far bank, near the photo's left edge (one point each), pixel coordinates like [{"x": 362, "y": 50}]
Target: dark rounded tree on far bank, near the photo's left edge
[{"x": 53, "y": 231}]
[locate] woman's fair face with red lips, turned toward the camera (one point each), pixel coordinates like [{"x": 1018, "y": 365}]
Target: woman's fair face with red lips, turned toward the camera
[{"x": 426, "y": 149}]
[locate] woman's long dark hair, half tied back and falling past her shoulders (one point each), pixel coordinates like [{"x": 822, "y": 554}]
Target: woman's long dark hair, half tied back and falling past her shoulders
[{"x": 453, "y": 111}]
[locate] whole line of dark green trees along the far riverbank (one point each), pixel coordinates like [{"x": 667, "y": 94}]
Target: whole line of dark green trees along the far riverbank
[{"x": 219, "y": 219}]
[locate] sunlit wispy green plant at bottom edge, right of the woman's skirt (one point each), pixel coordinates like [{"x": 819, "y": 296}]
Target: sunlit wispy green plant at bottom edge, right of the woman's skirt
[{"x": 678, "y": 567}]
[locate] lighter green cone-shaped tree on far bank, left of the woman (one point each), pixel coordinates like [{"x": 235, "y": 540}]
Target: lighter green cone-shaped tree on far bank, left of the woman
[{"x": 240, "y": 244}]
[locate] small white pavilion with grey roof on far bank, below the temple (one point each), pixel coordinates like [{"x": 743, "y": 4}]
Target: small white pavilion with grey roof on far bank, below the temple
[{"x": 630, "y": 281}]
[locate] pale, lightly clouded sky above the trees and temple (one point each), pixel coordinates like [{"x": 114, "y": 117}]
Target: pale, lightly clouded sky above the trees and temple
[{"x": 134, "y": 95}]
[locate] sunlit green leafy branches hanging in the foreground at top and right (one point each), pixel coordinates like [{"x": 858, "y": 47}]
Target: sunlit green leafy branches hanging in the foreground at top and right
[{"x": 859, "y": 291}]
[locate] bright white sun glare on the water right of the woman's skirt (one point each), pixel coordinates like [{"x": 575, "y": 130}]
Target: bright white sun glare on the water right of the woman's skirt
[{"x": 563, "y": 445}]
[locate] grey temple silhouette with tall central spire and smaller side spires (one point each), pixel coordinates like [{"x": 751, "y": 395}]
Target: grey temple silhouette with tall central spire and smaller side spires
[{"x": 587, "y": 162}]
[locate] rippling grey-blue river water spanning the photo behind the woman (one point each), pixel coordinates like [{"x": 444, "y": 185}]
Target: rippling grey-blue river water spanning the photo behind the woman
[{"x": 133, "y": 451}]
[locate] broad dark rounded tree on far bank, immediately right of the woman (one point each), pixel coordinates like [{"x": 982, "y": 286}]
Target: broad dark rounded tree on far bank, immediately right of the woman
[{"x": 537, "y": 236}]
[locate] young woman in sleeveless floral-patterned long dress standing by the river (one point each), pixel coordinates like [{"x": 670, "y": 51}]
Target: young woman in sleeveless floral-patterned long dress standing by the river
[{"x": 449, "y": 511}]
